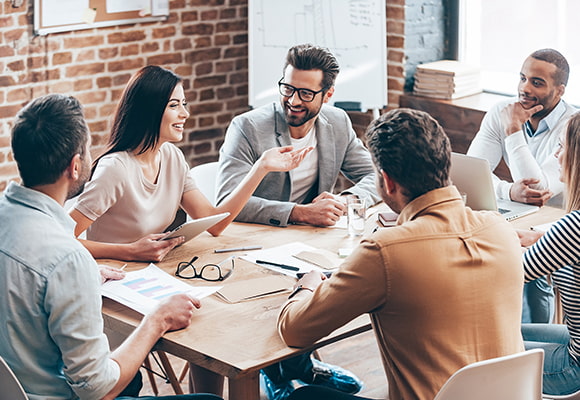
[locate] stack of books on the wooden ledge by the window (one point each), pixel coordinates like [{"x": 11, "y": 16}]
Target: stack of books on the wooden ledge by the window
[{"x": 447, "y": 79}]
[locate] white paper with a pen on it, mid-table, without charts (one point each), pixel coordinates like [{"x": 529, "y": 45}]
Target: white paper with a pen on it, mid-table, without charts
[{"x": 300, "y": 255}]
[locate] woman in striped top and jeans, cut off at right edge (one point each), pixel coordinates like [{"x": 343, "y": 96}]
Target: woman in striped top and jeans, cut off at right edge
[{"x": 557, "y": 252}]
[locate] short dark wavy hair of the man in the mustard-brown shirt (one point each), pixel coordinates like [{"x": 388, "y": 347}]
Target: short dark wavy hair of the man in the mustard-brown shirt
[{"x": 412, "y": 148}]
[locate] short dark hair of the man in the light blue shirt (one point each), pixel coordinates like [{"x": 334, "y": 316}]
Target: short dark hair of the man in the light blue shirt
[{"x": 46, "y": 135}]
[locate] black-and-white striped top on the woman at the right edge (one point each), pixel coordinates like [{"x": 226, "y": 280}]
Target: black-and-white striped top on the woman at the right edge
[{"x": 558, "y": 252}]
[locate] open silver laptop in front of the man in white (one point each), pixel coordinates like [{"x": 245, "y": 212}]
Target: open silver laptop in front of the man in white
[{"x": 472, "y": 176}]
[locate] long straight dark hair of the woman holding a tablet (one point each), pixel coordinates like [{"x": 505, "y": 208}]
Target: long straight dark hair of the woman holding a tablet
[{"x": 140, "y": 110}]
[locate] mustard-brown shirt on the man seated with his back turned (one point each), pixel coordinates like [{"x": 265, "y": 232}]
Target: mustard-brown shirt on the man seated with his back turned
[{"x": 443, "y": 289}]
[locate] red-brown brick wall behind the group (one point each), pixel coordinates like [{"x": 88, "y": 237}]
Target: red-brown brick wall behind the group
[{"x": 204, "y": 41}]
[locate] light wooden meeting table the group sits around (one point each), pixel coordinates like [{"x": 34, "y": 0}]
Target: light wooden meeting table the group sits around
[{"x": 237, "y": 340}]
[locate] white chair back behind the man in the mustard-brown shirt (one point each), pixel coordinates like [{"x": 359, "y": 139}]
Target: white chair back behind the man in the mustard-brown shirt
[{"x": 514, "y": 377}]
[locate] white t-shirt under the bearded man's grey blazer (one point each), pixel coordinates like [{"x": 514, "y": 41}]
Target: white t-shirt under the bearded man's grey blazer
[{"x": 306, "y": 174}]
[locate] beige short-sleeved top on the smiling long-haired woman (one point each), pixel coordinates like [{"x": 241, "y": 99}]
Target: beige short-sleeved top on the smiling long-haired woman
[{"x": 124, "y": 205}]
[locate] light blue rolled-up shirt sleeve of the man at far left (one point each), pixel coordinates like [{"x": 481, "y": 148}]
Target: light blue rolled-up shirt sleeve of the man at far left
[{"x": 73, "y": 304}]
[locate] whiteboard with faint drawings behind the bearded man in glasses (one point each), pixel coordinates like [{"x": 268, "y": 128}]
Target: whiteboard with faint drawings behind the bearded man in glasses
[{"x": 354, "y": 30}]
